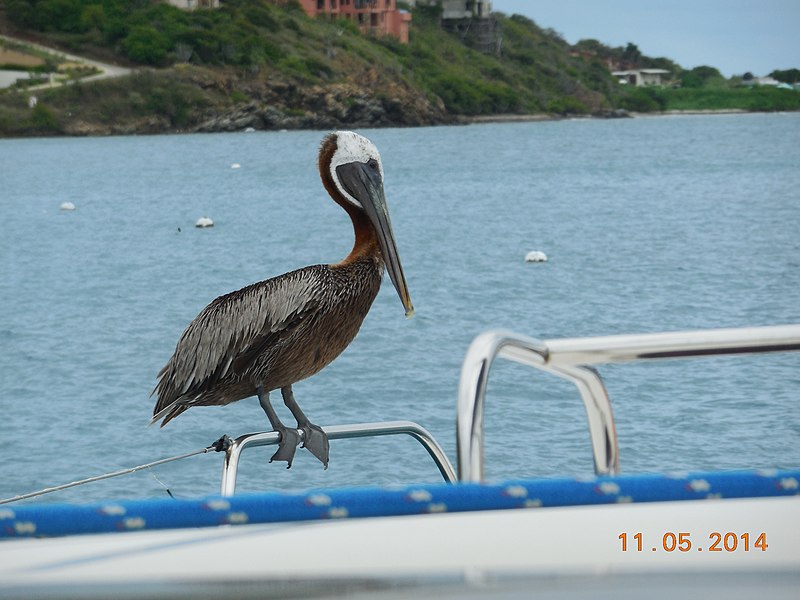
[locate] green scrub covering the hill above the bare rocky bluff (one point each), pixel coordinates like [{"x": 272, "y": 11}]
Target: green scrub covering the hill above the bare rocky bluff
[{"x": 534, "y": 72}]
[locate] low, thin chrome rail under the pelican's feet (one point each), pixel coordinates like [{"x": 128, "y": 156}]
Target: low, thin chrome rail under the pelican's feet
[{"x": 357, "y": 430}]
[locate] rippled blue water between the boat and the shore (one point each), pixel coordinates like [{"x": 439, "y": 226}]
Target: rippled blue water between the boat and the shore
[{"x": 650, "y": 224}]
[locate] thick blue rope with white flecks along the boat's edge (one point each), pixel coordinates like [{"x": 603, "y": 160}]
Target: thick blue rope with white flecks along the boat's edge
[{"x": 41, "y": 520}]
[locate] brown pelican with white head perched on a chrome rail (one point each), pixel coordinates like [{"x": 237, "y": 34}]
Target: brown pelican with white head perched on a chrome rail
[{"x": 270, "y": 334}]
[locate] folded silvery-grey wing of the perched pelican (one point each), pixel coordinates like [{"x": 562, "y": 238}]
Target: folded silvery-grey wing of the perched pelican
[{"x": 229, "y": 332}]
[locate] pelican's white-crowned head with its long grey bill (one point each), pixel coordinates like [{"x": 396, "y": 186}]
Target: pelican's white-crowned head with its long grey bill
[{"x": 355, "y": 169}]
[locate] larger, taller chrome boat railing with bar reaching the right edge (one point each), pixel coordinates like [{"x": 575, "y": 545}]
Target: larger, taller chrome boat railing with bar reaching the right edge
[{"x": 573, "y": 359}]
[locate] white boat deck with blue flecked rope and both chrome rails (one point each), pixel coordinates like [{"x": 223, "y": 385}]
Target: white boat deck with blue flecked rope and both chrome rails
[{"x": 716, "y": 534}]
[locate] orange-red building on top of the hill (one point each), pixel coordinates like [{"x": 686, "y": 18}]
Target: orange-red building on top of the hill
[{"x": 381, "y": 17}]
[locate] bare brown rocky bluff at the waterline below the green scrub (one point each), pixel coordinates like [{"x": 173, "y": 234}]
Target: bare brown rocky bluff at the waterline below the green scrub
[{"x": 274, "y": 104}]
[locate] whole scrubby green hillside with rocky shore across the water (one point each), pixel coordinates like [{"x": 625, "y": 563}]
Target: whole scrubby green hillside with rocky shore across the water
[{"x": 253, "y": 64}]
